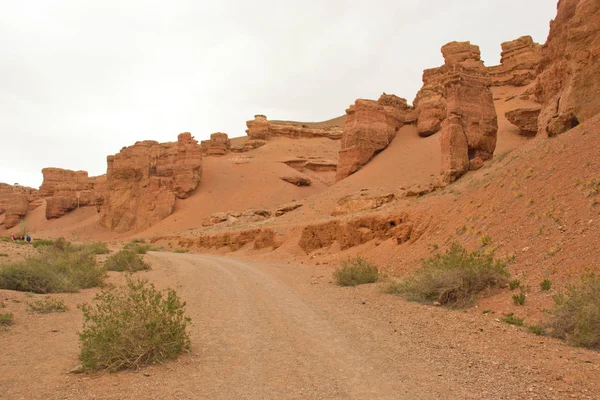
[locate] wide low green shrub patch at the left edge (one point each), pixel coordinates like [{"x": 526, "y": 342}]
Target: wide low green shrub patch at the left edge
[{"x": 52, "y": 271}]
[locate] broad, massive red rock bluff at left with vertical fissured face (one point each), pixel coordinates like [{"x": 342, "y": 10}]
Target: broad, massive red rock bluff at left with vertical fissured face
[{"x": 144, "y": 180}]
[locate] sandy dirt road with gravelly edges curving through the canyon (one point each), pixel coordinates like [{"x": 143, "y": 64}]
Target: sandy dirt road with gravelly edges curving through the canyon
[{"x": 283, "y": 331}]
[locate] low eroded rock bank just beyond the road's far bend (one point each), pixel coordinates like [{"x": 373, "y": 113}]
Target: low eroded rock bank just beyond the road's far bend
[{"x": 234, "y": 240}]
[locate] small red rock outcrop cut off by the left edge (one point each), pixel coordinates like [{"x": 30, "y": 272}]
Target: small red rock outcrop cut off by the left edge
[{"x": 15, "y": 202}]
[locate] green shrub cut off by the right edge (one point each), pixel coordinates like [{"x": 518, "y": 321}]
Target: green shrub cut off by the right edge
[{"x": 576, "y": 315}]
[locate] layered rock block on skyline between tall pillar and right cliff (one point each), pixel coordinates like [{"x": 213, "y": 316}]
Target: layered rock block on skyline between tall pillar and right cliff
[{"x": 518, "y": 64}]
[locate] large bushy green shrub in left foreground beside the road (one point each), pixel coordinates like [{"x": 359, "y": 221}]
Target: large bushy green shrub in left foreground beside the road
[{"x": 132, "y": 326}]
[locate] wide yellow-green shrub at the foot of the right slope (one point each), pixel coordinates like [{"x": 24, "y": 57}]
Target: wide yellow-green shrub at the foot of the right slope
[{"x": 454, "y": 278}]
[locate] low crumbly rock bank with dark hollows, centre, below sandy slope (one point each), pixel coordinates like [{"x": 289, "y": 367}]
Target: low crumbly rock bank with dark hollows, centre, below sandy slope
[{"x": 353, "y": 232}]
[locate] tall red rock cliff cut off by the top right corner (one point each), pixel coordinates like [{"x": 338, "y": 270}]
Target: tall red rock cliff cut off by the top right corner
[{"x": 568, "y": 86}]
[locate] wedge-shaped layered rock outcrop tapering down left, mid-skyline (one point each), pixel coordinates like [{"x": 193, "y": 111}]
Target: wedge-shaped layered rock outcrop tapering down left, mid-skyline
[{"x": 370, "y": 127}]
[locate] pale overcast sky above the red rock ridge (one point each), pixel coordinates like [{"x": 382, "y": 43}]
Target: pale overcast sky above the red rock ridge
[{"x": 79, "y": 80}]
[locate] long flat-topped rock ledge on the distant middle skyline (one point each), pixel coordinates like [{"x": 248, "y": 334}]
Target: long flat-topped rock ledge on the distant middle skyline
[{"x": 261, "y": 129}]
